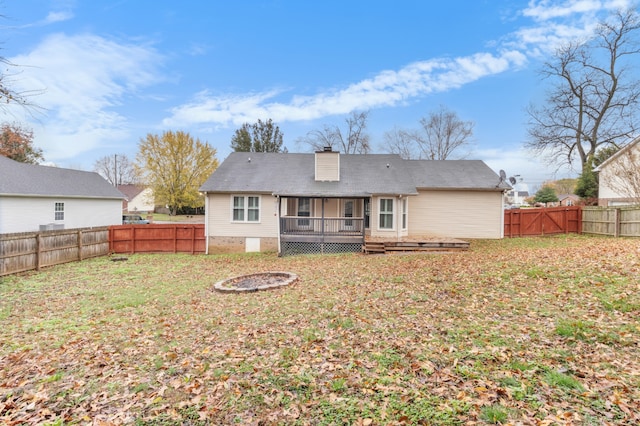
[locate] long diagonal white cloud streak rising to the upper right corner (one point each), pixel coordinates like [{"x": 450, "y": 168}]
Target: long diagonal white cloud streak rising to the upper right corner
[{"x": 553, "y": 24}]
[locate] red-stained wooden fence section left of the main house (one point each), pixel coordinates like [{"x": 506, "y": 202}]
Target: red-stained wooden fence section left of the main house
[{"x": 160, "y": 238}]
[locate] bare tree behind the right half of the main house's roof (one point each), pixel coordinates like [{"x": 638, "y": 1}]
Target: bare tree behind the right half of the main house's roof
[{"x": 441, "y": 135}]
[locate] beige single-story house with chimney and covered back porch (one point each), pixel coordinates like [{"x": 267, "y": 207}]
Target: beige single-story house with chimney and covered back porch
[{"x": 327, "y": 201}]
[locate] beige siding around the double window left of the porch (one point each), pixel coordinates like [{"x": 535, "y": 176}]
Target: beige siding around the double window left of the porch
[{"x": 220, "y": 224}]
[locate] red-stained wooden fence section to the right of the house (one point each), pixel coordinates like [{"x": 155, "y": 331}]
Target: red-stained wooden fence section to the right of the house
[{"x": 546, "y": 221}]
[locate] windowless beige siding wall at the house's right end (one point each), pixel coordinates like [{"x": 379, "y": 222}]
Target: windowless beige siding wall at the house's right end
[{"x": 457, "y": 214}]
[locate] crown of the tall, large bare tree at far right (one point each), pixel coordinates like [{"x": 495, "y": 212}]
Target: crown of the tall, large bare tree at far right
[{"x": 595, "y": 97}]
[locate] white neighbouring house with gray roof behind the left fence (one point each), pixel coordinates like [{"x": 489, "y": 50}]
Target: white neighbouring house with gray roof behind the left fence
[{"x": 35, "y": 197}]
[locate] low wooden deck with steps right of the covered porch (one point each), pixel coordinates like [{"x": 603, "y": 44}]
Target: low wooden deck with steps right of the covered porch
[{"x": 428, "y": 244}]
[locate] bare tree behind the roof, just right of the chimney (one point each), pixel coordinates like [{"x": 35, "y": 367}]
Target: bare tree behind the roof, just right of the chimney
[{"x": 354, "y": 140}]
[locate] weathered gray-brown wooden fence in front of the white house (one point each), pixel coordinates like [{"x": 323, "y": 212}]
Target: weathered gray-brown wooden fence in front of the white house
[{"x": 27, "y": 251}]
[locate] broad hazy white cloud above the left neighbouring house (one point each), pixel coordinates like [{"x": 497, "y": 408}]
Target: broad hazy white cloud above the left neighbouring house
[{"x": 82, "y": 78}]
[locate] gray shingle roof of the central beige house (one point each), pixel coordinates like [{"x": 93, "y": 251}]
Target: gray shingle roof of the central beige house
[{"x": 361, "y": 175}]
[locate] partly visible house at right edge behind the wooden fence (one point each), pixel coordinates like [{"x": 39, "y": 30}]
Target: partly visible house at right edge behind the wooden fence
[{"x": 619, "y": 177}]
